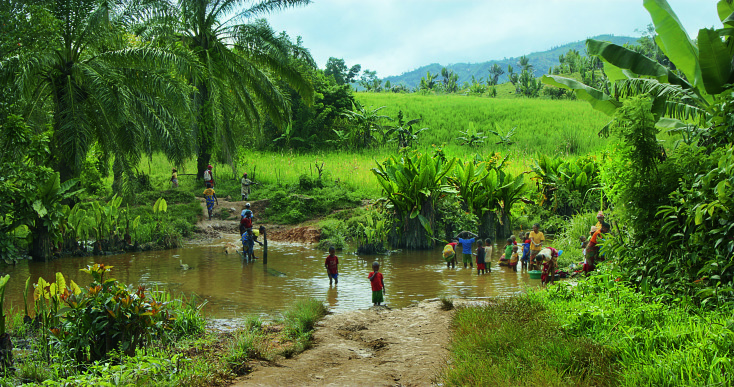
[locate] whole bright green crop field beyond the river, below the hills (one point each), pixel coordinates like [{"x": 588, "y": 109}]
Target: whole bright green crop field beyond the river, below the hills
[{"x": 563, "y": 128}]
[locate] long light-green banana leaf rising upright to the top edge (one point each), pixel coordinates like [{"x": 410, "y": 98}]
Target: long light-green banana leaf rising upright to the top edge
[{"x": 674, "y": 41}]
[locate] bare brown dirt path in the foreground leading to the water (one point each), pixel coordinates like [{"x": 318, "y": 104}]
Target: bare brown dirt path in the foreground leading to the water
[{"x": 375, "y": 347}]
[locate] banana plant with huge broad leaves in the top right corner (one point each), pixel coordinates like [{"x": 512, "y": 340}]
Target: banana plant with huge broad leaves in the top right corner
[{"x": 705, "y": 65}]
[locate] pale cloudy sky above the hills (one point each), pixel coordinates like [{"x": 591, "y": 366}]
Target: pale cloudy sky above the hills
[{"x": 395, "y": 36}]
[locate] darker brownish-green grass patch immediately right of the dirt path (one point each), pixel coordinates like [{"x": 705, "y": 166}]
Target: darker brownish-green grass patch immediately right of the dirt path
[{"x": 518, "y": 342}]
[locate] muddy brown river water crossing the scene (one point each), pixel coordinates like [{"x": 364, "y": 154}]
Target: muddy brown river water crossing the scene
[{"x": 234, "y": 288}]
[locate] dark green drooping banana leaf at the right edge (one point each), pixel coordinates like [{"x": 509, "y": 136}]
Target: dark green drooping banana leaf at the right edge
[{"x": 715, "y": 61}]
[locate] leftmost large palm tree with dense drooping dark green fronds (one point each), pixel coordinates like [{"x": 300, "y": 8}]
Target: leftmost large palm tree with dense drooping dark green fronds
[{"x": 97, "y": 83}]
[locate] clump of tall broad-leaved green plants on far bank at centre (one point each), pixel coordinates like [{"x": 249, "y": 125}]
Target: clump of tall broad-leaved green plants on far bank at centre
[{"x": 414, "y": 183}]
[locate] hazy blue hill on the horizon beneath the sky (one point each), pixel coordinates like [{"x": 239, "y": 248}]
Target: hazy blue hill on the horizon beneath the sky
[{"x": 541, "y": 62}]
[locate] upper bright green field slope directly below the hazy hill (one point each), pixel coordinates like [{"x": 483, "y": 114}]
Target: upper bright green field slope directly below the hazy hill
[{"x": 548, "y": 126}]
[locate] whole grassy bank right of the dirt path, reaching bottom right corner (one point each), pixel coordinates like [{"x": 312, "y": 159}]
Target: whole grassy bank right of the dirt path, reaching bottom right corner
[{"x": 598, "y": 333}]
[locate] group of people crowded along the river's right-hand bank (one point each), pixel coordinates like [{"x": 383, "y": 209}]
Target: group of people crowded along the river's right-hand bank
[{"x": 530, "y": 254}]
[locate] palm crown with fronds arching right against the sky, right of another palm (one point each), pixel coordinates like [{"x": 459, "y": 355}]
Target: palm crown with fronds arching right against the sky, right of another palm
[{"x": 240, "y": 64}]
